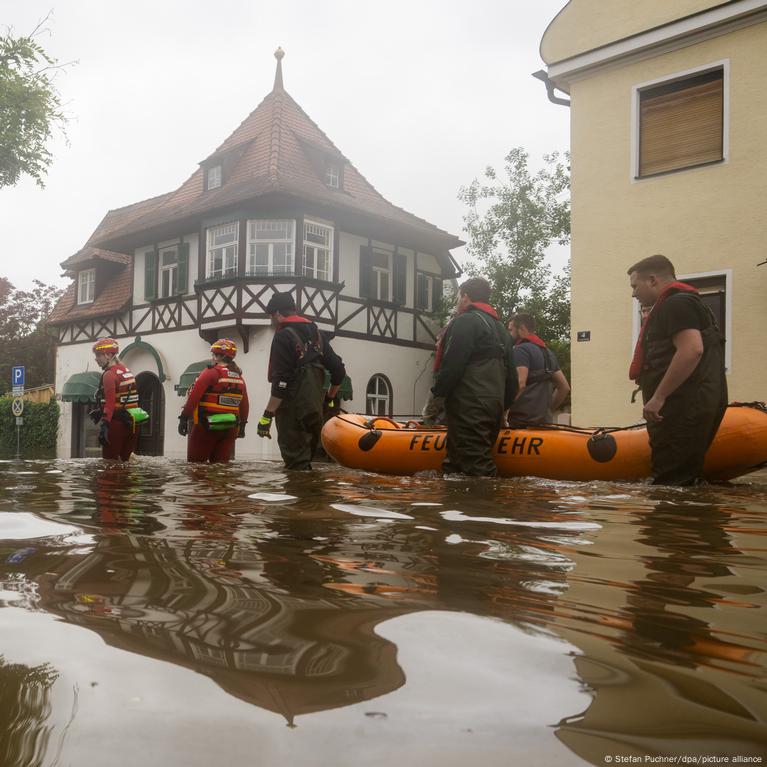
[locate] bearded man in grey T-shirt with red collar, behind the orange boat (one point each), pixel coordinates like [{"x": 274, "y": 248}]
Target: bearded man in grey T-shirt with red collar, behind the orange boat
[{"x": 542, "y": 384}]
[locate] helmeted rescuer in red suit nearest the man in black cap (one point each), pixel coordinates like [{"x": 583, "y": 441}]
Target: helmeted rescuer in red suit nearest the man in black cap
[{"x": 218, "y": 405}]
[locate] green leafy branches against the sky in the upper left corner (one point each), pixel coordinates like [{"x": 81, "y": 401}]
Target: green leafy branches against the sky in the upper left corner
[{"x": 30, "y": 108}]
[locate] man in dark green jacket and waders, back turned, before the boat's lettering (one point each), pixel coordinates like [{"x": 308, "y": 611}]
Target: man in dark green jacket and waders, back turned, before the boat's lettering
[{"x": 477, "y": 377}]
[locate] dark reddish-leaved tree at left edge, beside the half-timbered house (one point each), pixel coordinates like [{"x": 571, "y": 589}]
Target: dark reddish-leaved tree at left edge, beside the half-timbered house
[{"x": 24, "y": 339}]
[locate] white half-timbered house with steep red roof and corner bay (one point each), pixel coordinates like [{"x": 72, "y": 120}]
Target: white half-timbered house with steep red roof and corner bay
[{"x": 277, "y": 207}]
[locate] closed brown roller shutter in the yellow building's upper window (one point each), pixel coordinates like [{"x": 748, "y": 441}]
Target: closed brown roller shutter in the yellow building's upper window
[{"x": 681, "y": 124}]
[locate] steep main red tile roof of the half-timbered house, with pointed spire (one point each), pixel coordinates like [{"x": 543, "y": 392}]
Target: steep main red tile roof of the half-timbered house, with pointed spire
[{"x": 274, "y": 146}]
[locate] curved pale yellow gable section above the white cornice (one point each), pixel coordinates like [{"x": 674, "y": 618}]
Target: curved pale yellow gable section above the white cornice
[{"x": 583, "y": 25}]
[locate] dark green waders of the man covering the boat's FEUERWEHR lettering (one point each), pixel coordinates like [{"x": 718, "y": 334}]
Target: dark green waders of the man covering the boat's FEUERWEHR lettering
[{"x": 474, "y": 412}]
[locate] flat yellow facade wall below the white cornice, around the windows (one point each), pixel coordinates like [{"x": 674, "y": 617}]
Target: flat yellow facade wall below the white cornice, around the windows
[{"x": 706, "y": 219}]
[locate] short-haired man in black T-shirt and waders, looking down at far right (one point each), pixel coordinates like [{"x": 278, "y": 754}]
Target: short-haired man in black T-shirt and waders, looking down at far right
[{"x": 678, "y": 364}]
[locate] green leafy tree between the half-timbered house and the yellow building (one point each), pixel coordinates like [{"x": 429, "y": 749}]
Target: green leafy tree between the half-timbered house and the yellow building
[{"x": 511, "y": 223}]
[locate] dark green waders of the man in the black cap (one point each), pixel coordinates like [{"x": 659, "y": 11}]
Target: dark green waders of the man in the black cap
[{"x": 299, "y": 417}]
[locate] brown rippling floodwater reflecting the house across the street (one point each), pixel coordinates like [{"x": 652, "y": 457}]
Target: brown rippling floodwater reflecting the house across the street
[{"x": 166, "y": 614}]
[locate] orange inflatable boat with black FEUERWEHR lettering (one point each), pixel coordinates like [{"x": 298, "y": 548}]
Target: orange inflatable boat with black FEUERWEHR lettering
[{"x": 374, "y": 443}]
